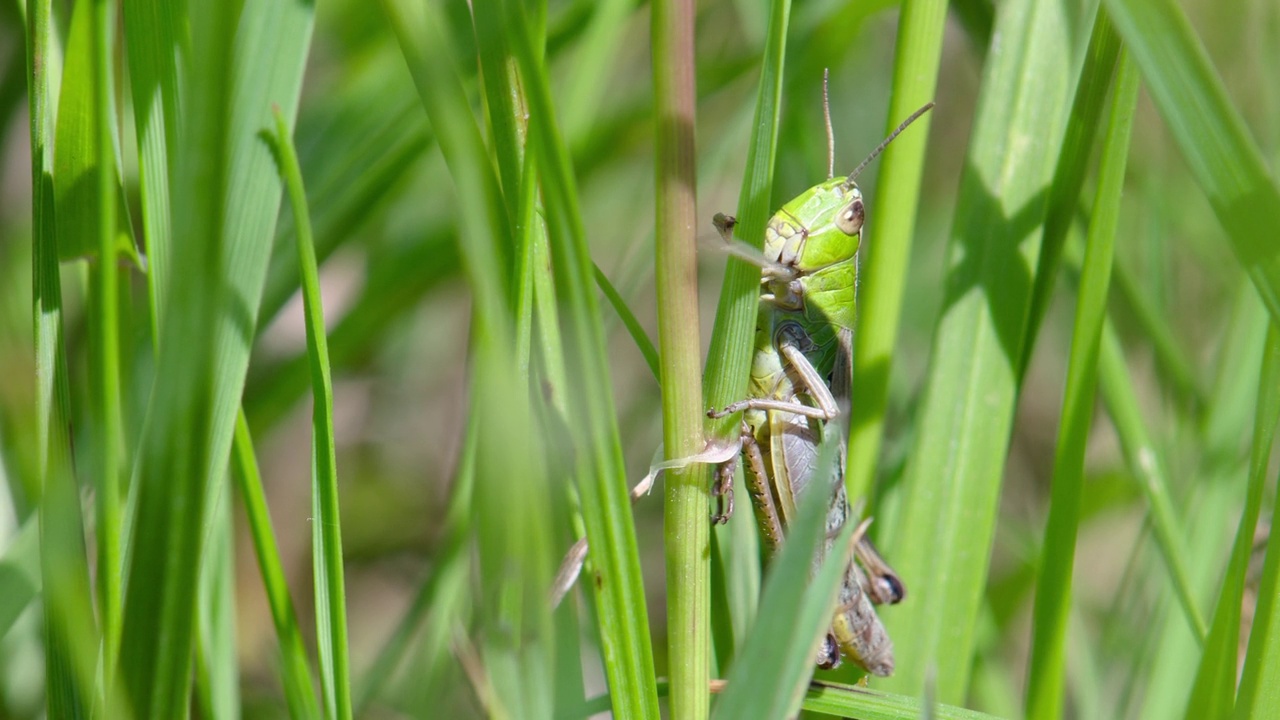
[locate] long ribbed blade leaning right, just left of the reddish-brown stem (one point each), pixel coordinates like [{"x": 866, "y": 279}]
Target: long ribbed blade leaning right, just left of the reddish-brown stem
[{"x": 593, "y": 422}]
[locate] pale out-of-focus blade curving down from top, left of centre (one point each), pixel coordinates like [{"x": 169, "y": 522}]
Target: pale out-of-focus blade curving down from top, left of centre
[{"x": 511, "y": 509}]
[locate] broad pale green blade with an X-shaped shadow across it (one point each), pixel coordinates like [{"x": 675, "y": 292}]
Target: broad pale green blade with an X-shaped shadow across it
[{"x": 944, "y": 534}]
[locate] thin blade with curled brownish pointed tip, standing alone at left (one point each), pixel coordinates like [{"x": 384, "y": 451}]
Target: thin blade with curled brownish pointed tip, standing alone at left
[{"x": 327, "y": 528}]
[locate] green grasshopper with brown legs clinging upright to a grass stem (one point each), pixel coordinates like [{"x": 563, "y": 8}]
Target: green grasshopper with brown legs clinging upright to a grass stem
[{"x": 801, "y": 381}]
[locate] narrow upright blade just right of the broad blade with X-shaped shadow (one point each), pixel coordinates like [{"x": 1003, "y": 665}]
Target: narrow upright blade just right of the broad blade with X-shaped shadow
[{"x": 1048, "y": 677}]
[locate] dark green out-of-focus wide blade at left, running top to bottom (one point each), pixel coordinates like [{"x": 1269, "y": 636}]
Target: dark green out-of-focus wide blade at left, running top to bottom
[{"x": 161, "y": 595}]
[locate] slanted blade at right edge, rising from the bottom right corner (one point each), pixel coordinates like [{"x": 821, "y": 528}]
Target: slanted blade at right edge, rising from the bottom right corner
[{"x": 1214, "y": 692}]
